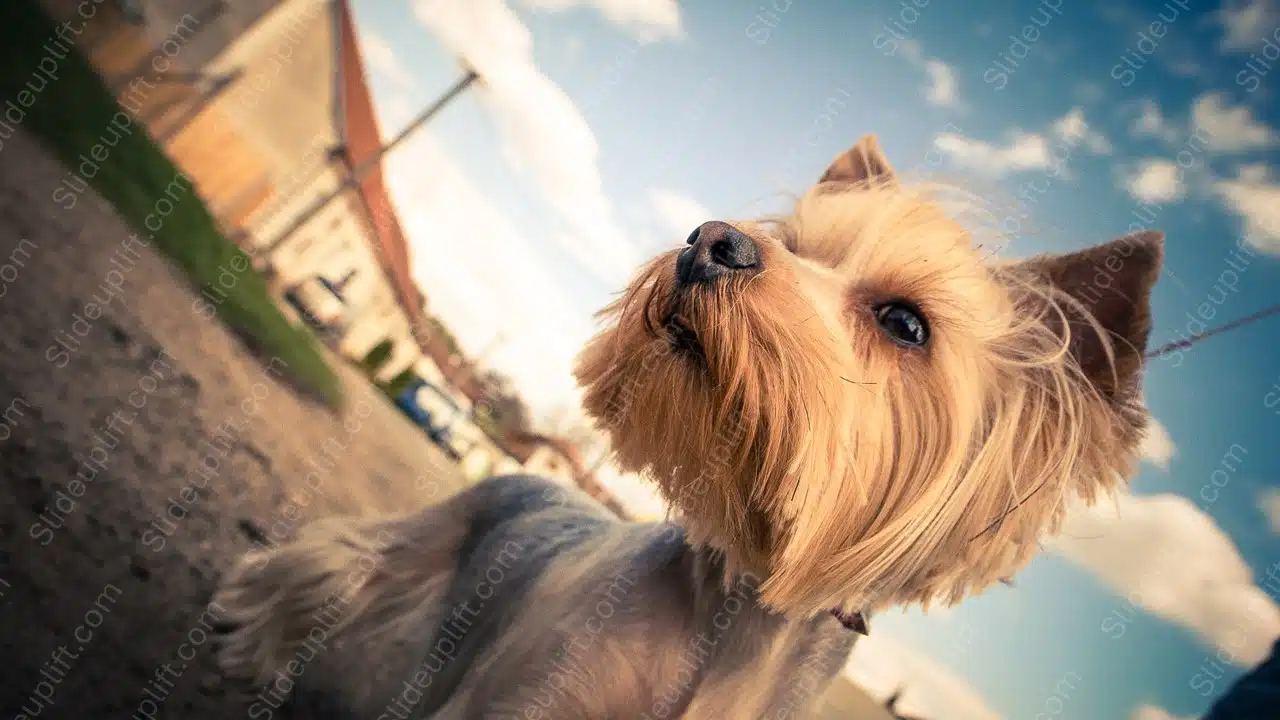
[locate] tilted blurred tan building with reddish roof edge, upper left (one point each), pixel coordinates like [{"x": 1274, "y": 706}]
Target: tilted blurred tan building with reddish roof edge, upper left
[{"x": 266, "y": 107}]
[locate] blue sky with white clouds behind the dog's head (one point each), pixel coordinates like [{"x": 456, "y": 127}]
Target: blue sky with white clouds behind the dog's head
[{"x": 611, "y": 129}]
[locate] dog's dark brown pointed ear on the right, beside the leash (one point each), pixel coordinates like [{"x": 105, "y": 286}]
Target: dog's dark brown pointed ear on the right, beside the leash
[{"x": 1113, "y": 282}]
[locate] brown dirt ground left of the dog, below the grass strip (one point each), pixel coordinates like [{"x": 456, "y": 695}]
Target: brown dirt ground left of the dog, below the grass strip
[{"x": 143, "y": 448}]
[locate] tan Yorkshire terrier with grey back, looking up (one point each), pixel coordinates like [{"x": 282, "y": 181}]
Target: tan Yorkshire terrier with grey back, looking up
[{"x": 848, "y": 408}]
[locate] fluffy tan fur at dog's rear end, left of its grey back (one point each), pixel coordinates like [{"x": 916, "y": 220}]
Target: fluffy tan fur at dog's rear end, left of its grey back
[{"x": 342, "y": 584}]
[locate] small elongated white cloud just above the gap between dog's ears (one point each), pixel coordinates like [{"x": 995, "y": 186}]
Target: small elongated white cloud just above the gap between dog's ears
[{"x": 1023, "y": 151}]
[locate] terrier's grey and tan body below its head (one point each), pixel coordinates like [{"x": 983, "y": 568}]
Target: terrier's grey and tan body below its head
[{"x": 524, "y": 599}]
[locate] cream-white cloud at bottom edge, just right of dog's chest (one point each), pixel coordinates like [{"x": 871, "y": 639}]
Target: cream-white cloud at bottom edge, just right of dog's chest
[{"x": 931, "y": 690}]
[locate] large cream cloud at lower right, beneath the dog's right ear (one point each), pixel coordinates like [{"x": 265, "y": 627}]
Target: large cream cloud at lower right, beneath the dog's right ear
[{"x": 1165, "y": 555}]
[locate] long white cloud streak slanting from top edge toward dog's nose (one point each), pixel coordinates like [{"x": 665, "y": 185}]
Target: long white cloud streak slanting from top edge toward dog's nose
[{"x": 545, "y": 135}]
